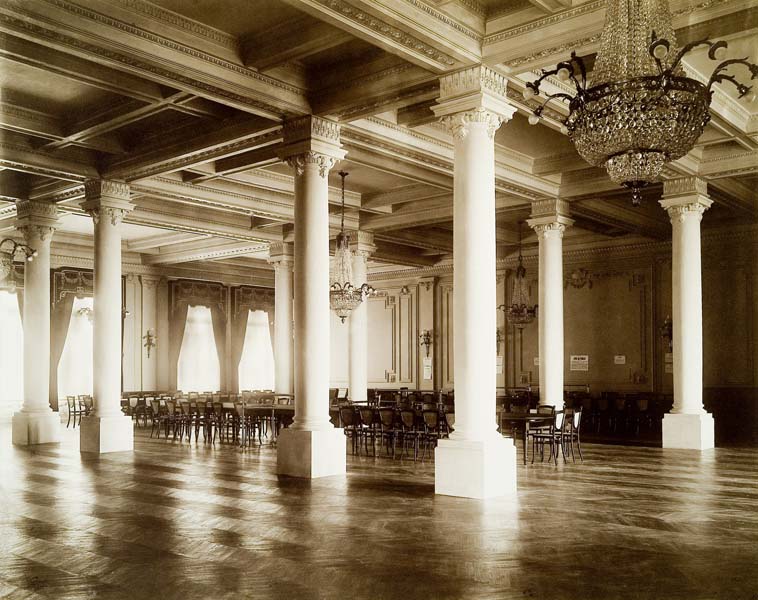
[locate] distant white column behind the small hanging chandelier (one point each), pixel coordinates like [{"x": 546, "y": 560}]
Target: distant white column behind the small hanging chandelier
[{"x": 362, "y": 246}]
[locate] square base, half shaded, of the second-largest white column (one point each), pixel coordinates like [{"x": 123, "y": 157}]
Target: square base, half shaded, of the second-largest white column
[{"x": 311, "y": 454}]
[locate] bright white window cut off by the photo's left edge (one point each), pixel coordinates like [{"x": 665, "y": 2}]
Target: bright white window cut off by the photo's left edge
[{"x": 11, "y": 355}]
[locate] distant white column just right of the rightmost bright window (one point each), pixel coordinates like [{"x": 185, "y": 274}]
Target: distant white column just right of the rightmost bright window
[{"x": 281, "y": 255}]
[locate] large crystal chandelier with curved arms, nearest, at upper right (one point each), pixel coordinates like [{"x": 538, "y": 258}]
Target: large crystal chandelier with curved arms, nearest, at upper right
[{"x": 638, "y": 110}]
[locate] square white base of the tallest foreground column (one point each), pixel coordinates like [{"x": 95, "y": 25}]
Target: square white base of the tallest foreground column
[{"x": 475, "y": 469}]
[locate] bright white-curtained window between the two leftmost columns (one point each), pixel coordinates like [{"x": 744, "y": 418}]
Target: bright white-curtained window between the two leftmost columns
[{"x": 75, "y": 368}]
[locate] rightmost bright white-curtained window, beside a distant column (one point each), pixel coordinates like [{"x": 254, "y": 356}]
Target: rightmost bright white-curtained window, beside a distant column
[{"x": 256, "y": 370}]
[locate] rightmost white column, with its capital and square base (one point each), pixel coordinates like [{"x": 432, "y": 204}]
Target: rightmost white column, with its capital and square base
[{"x": 688, "y": 425}]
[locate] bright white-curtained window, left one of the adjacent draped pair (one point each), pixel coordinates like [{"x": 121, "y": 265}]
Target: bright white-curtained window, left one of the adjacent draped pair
[{"x": 198, "y": 369}]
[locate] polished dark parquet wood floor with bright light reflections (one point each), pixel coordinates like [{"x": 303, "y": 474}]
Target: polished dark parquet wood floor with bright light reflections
[{"x": 182, "y": 521}]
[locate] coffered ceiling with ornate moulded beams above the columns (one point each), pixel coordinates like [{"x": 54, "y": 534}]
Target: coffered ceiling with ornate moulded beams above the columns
[{"x": 184, "y": 99}]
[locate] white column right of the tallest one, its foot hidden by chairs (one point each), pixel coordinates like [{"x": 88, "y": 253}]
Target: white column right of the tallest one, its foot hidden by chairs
[{"x": 549, "y": 221}]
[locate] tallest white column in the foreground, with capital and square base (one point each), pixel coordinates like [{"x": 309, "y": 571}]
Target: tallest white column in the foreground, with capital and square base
[{"x": 476, "y": 461}]
